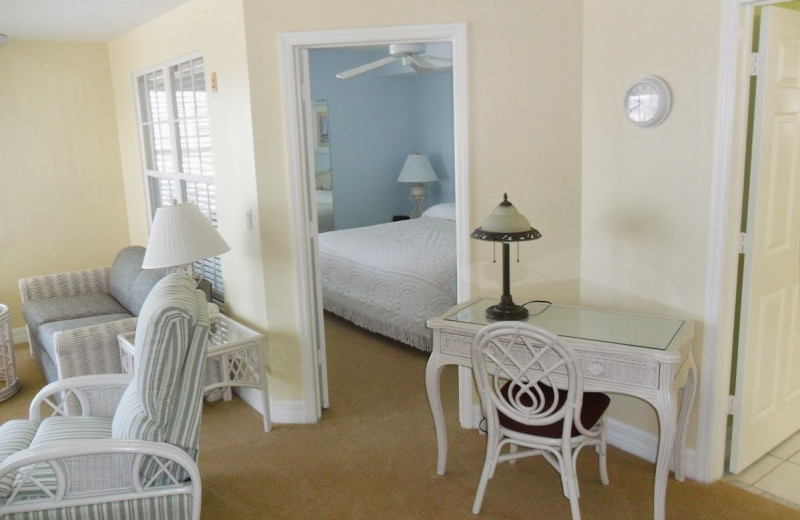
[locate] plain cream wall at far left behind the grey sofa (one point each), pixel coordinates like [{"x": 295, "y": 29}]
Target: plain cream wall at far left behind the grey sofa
[{"x": 61, "y": 202}]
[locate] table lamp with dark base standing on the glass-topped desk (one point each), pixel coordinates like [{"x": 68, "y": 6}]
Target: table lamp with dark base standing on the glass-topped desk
[{"x": 506, "y": 225}]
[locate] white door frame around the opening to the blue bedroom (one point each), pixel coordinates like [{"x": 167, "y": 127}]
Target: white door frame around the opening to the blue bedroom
[{"x": 291, "y": 47}]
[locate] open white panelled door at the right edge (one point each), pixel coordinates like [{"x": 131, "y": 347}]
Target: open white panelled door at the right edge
[{"x": 766, "y": 406}]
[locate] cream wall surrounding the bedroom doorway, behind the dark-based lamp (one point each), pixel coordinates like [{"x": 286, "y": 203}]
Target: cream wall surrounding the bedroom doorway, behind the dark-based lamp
[{"x": 524, "y": 130}]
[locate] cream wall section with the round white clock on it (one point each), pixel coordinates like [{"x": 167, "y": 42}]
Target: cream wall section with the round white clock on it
[{"x": 646, "y": 192}]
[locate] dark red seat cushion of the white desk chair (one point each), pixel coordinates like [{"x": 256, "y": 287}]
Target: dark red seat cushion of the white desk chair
[{"x": 595, "y": 405}]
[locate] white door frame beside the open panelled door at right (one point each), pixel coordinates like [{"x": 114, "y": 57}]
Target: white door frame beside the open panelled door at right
[{"x": 736, "y": 33}]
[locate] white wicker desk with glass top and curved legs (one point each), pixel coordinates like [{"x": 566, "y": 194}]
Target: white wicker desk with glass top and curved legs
[{"x": 641, "y": 356}]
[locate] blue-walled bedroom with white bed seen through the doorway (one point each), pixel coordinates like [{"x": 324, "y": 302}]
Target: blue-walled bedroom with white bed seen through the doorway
[{"x": 365, "y": 128}]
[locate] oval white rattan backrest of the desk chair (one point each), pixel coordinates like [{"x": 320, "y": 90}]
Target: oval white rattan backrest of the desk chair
[{"x": 528, "y": 374}]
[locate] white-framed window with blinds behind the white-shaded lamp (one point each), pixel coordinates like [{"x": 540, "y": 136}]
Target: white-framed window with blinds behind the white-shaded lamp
[{"x": 176, "y": 145}]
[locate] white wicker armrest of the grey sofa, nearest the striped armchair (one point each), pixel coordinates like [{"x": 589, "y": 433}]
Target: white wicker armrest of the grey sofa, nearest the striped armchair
[{"x": 90, "y": 350}]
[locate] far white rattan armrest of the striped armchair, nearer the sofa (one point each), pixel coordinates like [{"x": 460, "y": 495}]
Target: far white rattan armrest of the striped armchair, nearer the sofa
[{"x": 94, "y": 395}]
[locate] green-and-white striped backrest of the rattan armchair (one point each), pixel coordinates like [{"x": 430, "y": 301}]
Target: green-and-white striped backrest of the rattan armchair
[{"x": 163, "y": 402}]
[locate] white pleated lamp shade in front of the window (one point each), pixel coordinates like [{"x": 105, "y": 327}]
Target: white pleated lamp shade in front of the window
[{"x": 180, "y": 235}]
